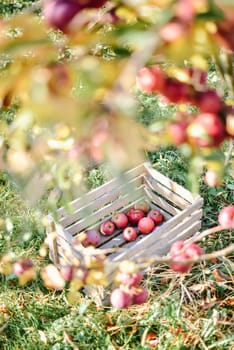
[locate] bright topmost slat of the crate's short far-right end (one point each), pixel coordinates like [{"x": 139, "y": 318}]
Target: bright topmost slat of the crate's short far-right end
[{"x": 173, "y": 186}]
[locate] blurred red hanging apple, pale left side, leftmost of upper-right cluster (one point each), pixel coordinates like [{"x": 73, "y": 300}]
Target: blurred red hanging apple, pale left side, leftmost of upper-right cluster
[{"x": 151, "y": 79}]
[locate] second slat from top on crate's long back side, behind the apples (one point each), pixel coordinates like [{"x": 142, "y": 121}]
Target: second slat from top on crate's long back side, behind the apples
[{"x": 103, "y": 212}]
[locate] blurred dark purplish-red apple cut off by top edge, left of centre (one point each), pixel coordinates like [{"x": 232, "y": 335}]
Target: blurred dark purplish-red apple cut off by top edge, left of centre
[{"x": 59, "y": 13}]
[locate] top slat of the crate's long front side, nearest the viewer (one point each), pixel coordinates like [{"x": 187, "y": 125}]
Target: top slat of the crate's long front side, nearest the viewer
[{"x": 176, "y": 220}]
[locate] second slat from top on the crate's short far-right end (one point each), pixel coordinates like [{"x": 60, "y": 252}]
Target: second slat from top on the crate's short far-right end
[{"x": 166, "y": 193}]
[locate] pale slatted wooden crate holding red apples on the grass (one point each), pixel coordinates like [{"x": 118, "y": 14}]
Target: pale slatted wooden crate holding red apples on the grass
[{"x": 182, "y": 212}]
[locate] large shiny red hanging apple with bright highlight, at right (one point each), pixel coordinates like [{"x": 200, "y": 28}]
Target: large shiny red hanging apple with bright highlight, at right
[{"x": 207, "y": 130}]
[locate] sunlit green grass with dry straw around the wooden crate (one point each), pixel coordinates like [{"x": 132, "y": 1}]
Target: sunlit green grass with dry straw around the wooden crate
[{"x": 191, "y": 311}]
